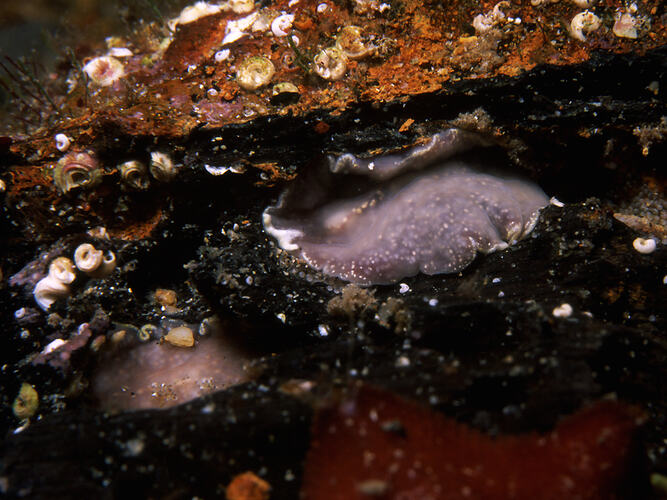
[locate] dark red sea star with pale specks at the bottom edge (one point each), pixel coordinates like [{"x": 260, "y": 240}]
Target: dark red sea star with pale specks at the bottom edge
[{"x": 378, "y": 445}]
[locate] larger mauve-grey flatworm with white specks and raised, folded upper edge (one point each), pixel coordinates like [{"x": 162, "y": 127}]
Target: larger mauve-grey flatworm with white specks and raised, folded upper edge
[{"x": 398, "y": 215}]
